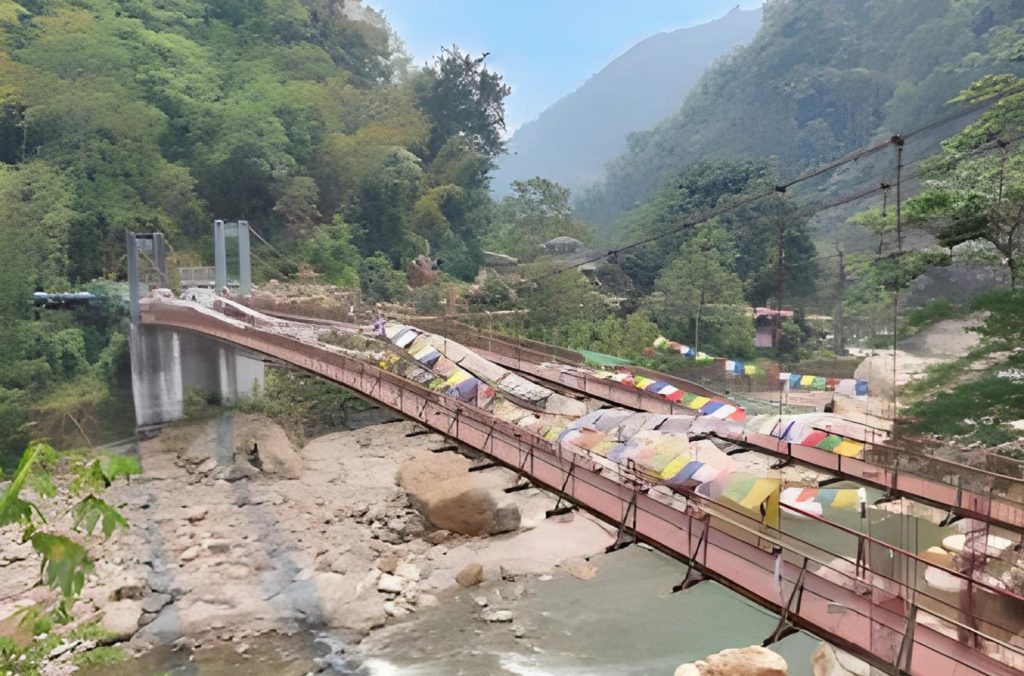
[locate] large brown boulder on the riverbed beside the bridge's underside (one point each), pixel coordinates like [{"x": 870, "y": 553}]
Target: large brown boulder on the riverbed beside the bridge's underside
[{"x": 441, "y": 487}]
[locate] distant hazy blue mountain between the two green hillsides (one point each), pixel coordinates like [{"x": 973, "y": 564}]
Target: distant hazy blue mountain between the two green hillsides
[{"x": 573, "y": 140}]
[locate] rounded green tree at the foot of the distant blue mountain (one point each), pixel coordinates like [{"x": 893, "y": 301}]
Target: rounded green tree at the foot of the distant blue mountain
[{"x": 536, "y": 212}]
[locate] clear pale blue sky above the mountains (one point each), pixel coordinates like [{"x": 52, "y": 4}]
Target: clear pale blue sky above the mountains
[{"x": 545, "y": 49}]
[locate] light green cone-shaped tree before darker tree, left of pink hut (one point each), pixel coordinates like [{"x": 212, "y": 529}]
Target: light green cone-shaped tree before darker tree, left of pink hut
[{"x": 701, "y": 297}]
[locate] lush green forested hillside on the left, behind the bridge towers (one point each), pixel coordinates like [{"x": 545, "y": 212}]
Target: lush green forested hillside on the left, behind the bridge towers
[{"x": 300, "y": 116}]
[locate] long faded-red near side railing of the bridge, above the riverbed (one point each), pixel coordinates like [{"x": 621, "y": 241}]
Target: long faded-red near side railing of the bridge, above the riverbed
[{"x": 735, "y": 548}]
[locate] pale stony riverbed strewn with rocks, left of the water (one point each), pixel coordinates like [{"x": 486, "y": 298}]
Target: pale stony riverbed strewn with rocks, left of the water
[{"x": 236, "y": 534}]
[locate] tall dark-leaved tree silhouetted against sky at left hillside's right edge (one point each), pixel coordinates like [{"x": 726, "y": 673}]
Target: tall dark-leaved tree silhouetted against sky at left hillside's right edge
[{"x": 463, "y": 99}]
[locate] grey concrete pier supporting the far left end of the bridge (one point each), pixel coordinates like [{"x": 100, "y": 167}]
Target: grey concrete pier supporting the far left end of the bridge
[{"x": 166, "y": 365}]
